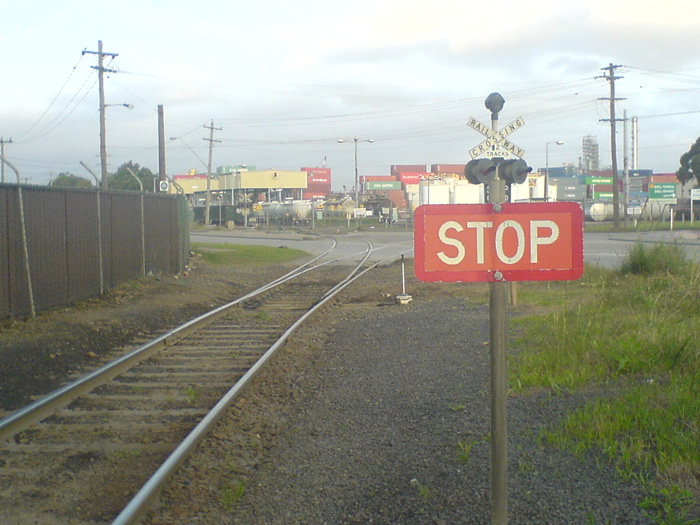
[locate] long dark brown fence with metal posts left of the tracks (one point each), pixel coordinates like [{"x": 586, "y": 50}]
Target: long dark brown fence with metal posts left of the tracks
[{"x": 63, "y": 241}]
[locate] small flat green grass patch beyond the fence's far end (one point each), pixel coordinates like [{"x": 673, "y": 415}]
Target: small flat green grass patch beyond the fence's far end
[{"x": 245, "y": 255}]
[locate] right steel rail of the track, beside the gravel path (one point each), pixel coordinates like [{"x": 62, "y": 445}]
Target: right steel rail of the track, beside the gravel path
[{"x": 138, "y": 504}]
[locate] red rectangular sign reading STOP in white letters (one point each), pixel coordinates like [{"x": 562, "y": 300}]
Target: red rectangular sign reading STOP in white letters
[{"x": 499, "y": 242}]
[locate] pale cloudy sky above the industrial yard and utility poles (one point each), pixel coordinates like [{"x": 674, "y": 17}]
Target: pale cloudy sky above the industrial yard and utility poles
[{"x": 283, "y": 81}]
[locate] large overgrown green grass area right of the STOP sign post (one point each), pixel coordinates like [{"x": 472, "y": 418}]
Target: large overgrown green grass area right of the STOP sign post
[{"x": 635, "y": 330}]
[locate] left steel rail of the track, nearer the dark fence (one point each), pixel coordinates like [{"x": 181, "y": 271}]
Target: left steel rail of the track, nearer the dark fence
[{"x": 36, "y": 411}]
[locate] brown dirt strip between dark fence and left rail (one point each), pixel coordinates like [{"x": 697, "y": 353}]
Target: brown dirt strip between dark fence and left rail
[{"x": 38, "y": 355}]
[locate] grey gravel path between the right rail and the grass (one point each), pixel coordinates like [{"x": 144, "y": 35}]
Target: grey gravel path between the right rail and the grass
[{"x": 377, "y": 442}]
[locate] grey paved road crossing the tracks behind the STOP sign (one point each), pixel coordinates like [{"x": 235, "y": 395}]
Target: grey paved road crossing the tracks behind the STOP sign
[{"x": 604, "y": 249}]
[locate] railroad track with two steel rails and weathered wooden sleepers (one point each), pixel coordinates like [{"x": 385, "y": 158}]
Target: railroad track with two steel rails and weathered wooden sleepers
[{"x": 109, "y": 440}]
